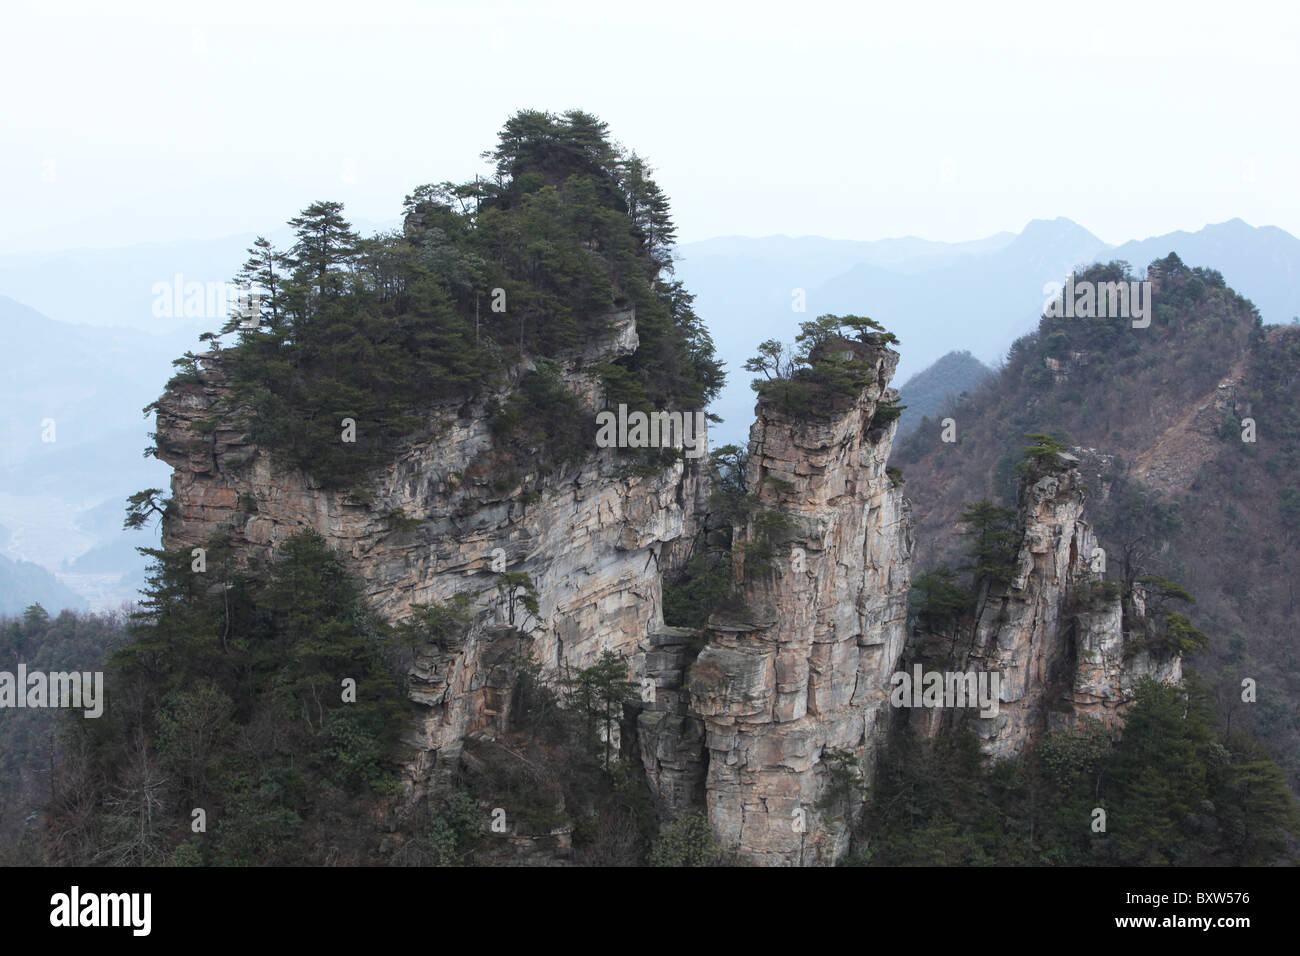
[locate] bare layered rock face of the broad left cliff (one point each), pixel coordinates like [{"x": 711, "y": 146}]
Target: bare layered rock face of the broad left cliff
[{"x": 593, "y": 539}]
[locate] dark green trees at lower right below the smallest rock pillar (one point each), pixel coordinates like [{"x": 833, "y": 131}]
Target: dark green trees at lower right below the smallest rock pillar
[{"x": 1173, "y": 795}]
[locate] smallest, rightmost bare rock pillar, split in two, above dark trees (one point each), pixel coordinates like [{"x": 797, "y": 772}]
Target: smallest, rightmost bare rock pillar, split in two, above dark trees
[{"x": 1061, "y": 652}]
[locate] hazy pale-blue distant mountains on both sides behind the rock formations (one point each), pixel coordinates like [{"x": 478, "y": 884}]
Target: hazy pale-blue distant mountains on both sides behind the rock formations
[{"x": 83, "y": 344}]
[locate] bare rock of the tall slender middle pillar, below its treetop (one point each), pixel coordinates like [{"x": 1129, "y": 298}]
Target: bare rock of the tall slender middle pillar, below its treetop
[{"x": 795, "y": 689}]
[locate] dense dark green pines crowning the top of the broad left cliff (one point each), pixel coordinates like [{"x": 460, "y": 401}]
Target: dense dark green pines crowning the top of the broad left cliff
[{"x": 483, "y": 278}]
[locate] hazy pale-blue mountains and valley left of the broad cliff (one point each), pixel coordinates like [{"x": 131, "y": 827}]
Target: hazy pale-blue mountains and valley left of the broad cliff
[{"x": 72, "y": 440}]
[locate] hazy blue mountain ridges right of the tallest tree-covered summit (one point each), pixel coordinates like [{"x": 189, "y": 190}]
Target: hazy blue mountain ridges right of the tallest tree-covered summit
[{"x": 943, "y": 297}]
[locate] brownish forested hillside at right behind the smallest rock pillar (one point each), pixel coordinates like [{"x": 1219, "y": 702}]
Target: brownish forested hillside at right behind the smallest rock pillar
[{"x": 1189, "y": 432}]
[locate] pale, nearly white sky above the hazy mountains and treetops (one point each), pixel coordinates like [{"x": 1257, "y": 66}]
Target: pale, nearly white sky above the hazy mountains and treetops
[{"x": 129, "y": 123}]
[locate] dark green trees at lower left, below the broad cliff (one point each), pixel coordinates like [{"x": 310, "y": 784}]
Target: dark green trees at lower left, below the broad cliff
[{"x": 229, "y": 695}]
